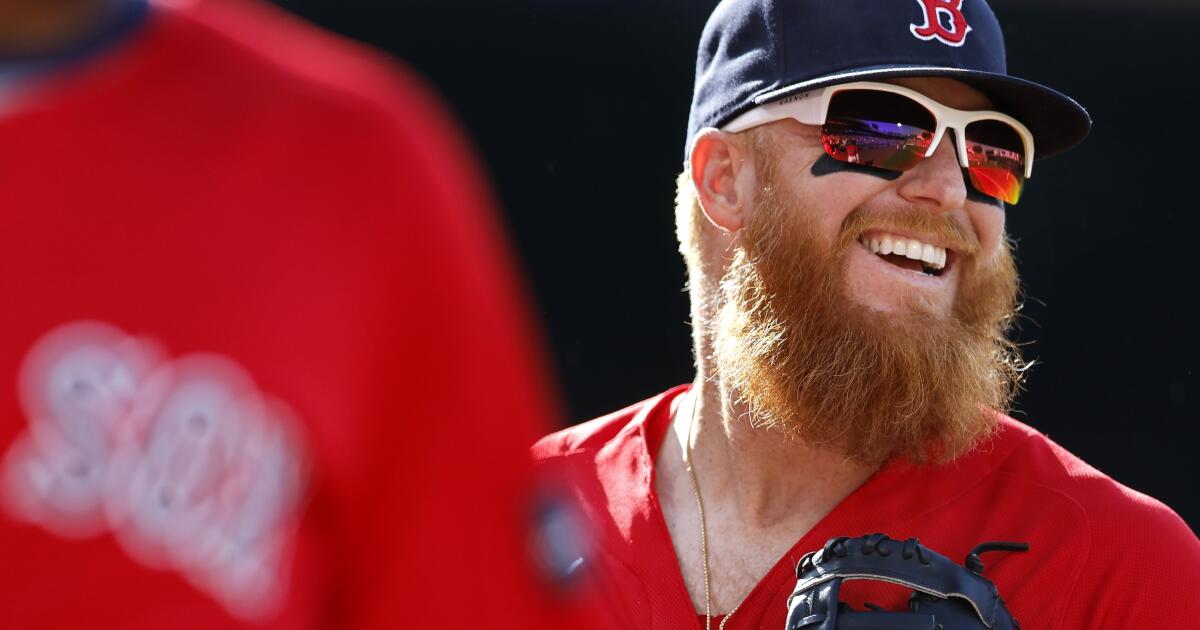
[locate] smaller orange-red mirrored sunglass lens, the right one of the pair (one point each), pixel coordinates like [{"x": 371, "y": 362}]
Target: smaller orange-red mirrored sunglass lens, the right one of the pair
[{"x": 997, "y": 160}]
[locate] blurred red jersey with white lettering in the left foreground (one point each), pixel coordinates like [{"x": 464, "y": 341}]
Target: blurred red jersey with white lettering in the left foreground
[{"x": 265, "y": 361}]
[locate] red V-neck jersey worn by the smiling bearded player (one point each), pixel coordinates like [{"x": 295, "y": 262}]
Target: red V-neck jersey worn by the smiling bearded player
[{"x": 1102, "y": 556}]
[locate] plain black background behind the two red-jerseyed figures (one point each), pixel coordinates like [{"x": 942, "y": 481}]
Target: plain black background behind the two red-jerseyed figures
[{"x": 580, "y": 110}]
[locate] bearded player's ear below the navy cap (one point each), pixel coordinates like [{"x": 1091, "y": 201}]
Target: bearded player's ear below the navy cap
[{"x": 723, "y": 173}]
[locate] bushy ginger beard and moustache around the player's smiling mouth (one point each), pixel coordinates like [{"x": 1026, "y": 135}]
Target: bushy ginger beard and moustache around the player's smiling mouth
[{"x": 806, "y": 358}]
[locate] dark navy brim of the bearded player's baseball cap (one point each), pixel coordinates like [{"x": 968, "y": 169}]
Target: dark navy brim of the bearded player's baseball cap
[{"x": 1055, "y": 119}]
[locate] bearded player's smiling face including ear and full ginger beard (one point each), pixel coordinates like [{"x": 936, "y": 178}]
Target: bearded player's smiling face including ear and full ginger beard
[{"x": 820, "y": 332}]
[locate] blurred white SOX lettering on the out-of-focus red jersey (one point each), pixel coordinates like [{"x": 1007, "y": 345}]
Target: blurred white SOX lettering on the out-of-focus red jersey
[{"x": 183, "y": 460}]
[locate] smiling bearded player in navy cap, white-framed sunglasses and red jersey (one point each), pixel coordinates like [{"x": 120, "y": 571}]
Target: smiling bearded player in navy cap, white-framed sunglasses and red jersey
[{"x": 850, "y": 316}]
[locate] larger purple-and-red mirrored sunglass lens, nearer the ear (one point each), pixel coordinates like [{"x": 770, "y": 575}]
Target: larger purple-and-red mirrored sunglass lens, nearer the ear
[{"x": 877, "y": 129}]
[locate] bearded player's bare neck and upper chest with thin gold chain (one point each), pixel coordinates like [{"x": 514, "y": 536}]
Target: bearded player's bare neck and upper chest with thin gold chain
[{"x": 761, "y": 491}]
